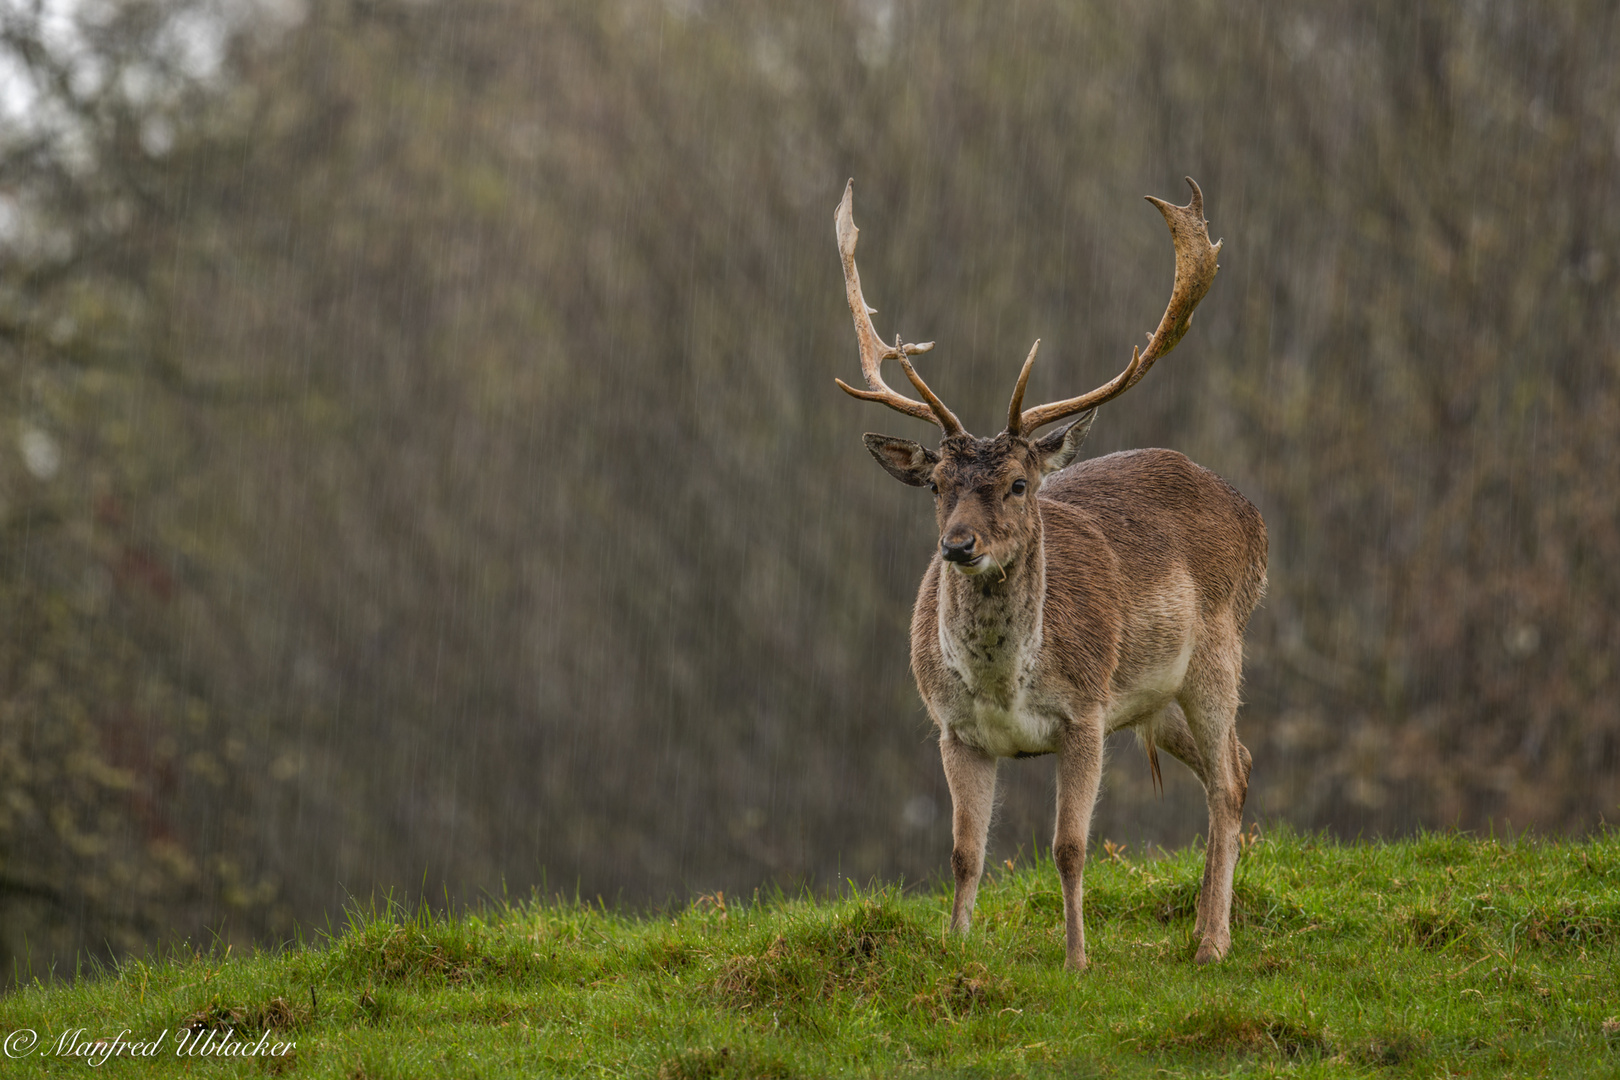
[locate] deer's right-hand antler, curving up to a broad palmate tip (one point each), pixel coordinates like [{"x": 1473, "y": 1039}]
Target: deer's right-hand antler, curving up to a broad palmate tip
[{"x": 1195, "y": 271}]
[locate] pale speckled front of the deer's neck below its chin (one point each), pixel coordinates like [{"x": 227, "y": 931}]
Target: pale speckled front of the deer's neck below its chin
[{"x": 991, "y": 624}]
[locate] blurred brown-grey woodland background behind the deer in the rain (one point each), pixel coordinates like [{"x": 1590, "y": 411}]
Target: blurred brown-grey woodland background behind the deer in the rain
[{"x": 420, "y": 464}]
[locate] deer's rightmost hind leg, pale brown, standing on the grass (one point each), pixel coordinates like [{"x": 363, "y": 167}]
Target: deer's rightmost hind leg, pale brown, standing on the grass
[{"x": 1211, "y": 705}]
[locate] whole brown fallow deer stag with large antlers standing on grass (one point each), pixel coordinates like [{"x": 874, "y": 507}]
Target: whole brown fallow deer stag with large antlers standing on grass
[{"x": 1073, "y": 600}]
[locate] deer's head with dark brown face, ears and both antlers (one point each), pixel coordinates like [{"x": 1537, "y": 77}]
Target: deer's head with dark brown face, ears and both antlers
[{"x": 986, "y": 488}]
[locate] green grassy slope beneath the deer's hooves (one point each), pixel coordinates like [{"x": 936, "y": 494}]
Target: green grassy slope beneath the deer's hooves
[{"x": 1431, "y": 958}]
